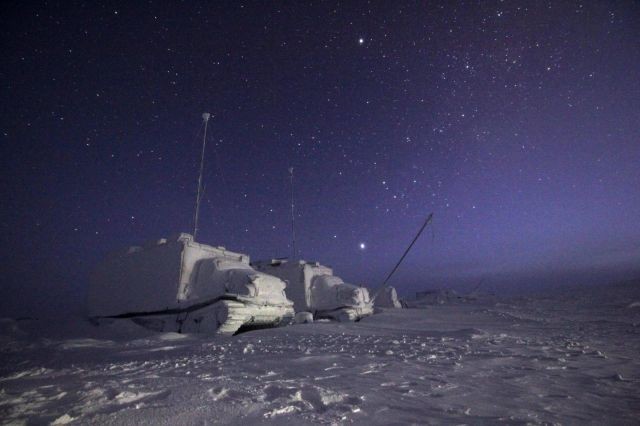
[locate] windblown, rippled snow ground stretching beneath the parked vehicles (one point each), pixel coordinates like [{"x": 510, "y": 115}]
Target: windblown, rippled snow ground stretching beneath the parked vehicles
[{"x": 567, "y": 358}]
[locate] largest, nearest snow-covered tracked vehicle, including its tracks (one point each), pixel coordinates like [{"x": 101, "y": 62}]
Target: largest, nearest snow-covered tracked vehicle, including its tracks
[{"x": 180, "y": 285}]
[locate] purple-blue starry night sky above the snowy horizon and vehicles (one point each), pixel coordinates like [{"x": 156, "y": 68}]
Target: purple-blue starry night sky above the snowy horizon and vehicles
[{"x": 517, "y": 124}]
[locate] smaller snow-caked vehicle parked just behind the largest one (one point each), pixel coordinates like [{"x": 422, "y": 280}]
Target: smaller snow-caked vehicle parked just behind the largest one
[{"x": 313, "y": 288}]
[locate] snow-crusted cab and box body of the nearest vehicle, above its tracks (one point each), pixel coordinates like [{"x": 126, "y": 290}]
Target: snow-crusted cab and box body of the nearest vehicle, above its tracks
[{"x": 174, "y": 274}]
